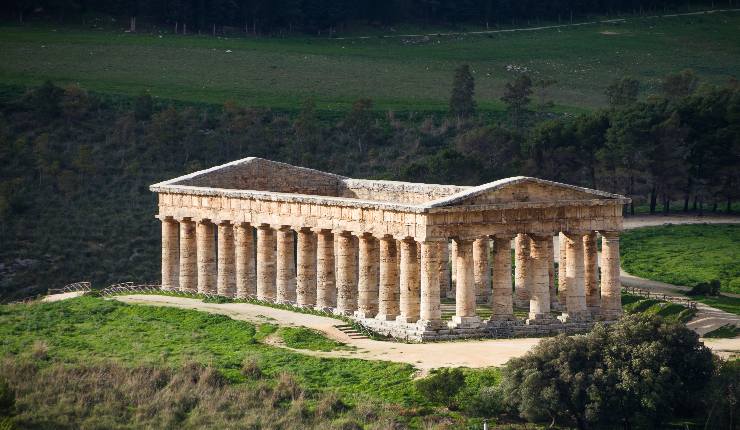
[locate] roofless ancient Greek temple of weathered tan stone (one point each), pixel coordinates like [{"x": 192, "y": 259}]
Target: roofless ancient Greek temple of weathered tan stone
[{"x": 394, "y": 255}]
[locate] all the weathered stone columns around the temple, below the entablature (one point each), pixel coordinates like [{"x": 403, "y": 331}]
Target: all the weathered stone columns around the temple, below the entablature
[{"x": 388, "y": 279}]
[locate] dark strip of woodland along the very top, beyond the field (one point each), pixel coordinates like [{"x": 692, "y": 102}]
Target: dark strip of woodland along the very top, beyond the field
[{"x": 329, "y": 16}]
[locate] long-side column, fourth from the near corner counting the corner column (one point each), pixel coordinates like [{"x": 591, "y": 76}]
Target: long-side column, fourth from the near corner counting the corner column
[{"x": 367, "y": 284}]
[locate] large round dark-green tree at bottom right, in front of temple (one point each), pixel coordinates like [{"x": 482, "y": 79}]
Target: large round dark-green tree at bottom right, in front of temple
[{"x": 639, "y": 372}]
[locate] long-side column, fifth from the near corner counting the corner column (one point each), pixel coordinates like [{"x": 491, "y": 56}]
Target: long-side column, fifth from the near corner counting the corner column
[{"x": 346, "y": 269}]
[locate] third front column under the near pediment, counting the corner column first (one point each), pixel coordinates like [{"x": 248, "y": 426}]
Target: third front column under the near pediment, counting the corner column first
[{"x": 503, "y": 303}]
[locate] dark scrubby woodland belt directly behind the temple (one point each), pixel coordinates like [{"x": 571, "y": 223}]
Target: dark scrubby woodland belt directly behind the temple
[{"x": 75, "y": 205}]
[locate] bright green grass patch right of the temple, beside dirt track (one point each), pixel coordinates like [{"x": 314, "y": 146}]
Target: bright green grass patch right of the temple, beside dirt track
[{"x": 685, "y": 254}]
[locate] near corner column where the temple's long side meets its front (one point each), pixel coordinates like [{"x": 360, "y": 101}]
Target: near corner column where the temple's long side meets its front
[{"x": 431, "y": 271}]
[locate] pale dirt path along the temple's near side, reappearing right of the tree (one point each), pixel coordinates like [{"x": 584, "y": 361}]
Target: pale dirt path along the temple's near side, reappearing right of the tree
[{"x": 424, "y": 356}]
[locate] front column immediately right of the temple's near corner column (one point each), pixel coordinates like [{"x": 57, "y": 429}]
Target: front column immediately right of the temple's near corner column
[{"x": 465, "y": 312}]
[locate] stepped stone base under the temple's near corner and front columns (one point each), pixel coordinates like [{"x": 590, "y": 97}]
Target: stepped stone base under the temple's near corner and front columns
[{"x": 417, "y": 332}]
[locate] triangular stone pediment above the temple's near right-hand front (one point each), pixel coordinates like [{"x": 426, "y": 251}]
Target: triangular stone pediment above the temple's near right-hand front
[{"x": 521, "y": 189}]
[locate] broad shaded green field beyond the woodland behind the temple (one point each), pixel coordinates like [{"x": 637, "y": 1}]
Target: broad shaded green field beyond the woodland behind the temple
[{"x": 399, "y": 74}]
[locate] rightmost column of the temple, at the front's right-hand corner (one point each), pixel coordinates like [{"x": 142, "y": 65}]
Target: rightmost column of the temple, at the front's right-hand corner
[{"x": 611, "y": 287}]
